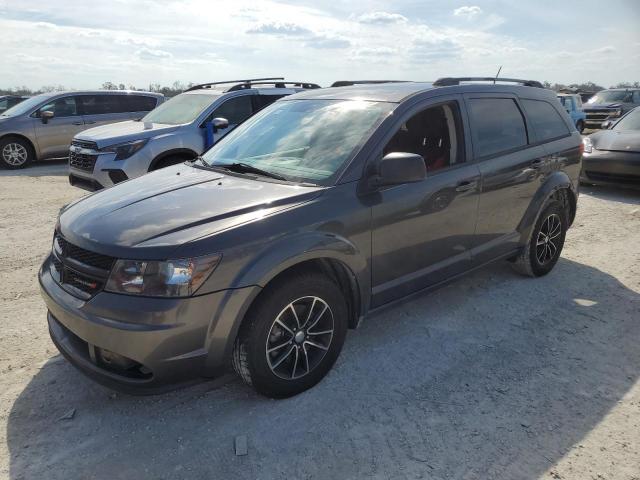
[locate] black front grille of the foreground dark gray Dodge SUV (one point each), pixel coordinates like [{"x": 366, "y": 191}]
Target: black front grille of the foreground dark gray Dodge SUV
[{"x": 77, "y": 269}]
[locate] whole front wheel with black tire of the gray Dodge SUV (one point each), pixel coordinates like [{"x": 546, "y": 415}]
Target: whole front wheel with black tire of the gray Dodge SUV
[{"x": 270, "y": 373}]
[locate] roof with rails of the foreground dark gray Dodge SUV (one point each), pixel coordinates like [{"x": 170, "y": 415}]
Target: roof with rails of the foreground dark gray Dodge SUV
[{"x": 398, "y": 92}]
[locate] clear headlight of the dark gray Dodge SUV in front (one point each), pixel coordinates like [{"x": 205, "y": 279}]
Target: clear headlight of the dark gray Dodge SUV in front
[{"x": 171, "y": 278}]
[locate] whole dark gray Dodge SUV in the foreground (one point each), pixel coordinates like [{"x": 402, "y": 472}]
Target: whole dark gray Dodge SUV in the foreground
[{"x": 321, "y": 208}]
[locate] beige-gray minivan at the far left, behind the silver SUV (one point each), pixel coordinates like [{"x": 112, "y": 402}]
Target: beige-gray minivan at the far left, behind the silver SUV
[{"x": 42, "y": 126}]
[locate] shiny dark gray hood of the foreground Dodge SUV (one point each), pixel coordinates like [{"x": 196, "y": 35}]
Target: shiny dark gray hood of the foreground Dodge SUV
[{"x": 150, "y": 216}]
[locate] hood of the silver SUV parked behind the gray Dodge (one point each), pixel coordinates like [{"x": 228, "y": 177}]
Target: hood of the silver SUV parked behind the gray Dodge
[{"x": 121, "y": 132}]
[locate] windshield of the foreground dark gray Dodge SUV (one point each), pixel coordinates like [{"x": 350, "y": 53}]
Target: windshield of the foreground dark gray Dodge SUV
[{"x": 301, "y": 140}]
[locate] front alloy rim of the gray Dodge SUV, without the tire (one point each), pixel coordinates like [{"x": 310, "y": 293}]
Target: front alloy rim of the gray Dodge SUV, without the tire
[{"x": 299, "y": 337}]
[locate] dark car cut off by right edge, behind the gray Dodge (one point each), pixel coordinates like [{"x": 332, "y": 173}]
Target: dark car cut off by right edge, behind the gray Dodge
[{"x": 612, "y": 157}]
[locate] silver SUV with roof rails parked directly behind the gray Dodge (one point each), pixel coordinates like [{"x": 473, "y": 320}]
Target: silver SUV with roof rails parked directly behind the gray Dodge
[{"x": 181, "y": 129}]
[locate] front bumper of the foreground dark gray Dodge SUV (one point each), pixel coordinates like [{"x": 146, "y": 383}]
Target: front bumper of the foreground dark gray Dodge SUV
[{"x": 144, "y": 345}]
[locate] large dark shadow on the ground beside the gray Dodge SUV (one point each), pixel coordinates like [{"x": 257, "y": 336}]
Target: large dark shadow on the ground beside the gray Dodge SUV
[{"x": 495, "y": 376}]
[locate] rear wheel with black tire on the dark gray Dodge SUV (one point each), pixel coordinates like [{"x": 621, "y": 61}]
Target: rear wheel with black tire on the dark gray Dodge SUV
[{"x": 543, "y": 249}]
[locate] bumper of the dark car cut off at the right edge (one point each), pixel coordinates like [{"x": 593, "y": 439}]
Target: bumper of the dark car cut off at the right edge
[{"x": 611, "y": 168}]
